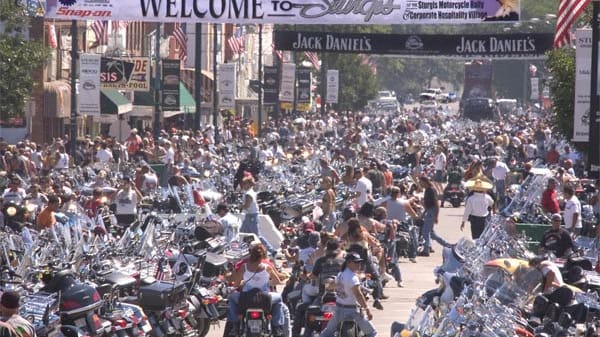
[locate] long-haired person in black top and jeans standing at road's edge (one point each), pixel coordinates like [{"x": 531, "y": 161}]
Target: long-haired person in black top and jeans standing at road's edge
[{"x": 430, "y": 216}]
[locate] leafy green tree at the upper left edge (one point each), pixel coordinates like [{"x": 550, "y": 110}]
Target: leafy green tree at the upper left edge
[{"x": 19, "y": 56}]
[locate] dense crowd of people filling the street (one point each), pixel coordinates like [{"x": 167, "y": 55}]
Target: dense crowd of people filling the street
[{"x": 490, "y": 157}]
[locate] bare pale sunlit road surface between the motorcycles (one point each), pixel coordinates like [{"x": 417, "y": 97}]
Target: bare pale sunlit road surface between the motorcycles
[{"x": 417, "y": 277}]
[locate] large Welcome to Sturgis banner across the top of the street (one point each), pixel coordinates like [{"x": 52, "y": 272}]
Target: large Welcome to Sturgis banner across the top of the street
[{"x": 303, "y": 12}]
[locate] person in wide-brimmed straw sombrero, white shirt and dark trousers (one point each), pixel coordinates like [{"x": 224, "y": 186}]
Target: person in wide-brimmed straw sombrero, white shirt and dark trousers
[{"x": 477, "y": 205}]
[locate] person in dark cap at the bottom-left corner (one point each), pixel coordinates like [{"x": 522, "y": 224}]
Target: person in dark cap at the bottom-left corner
[{"x": 11, "y": 323}]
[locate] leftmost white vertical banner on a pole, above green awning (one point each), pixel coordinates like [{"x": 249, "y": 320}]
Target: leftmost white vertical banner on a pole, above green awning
[{"x": 88, "y": 102}]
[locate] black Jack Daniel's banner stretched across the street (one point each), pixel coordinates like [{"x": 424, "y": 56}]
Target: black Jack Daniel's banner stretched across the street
[{"x": 468, "y": 46}]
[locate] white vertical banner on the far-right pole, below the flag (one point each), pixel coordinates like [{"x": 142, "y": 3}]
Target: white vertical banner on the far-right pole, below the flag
[{"x": 583, "y": 70}]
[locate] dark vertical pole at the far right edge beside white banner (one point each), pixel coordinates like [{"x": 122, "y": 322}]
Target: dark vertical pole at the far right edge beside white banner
[{"x": 594, "y": 115}]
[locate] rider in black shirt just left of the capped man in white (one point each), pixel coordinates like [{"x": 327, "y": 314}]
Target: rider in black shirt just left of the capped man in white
[{"x": 325, "y": 266}]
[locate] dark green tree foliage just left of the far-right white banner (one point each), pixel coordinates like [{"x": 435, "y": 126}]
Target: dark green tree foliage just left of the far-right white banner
[{"x": 561, "y": 64}]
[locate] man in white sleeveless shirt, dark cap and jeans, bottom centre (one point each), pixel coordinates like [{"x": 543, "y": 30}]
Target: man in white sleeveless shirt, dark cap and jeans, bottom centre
[{"x": 350, "y": 300}]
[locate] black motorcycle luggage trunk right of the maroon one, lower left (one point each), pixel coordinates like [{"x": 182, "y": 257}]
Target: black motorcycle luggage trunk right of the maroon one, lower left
[{"x": 161, "y": 295}]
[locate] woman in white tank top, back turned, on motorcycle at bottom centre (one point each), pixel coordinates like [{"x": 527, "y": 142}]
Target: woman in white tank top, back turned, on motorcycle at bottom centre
[{"x": 256, "y": 274}]
